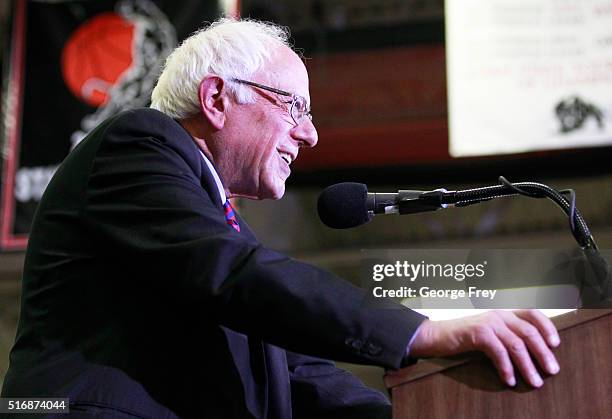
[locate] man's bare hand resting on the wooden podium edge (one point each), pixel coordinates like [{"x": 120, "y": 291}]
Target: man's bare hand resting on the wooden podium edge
[{"x": 504, "y": 336}]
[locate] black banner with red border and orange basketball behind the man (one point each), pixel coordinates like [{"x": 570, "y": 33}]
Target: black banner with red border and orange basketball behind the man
[{"x": 71, "y": 65}]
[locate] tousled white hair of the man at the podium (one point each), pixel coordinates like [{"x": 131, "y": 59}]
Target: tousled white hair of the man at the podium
[{"x": 227, "y": 48}]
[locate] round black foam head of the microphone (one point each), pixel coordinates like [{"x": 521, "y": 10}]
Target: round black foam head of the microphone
[{"x": 343, "y": 205}]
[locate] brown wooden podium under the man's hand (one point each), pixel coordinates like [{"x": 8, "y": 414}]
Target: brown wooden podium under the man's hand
[{"x": 469, "y": 387}]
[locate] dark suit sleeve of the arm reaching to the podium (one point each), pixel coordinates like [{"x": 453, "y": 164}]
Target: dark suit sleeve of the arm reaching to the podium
[{"x": 145, "y": 203}]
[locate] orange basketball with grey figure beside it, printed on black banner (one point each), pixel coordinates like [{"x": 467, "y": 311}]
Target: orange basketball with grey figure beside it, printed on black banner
[{"x": 112, "y": 60}]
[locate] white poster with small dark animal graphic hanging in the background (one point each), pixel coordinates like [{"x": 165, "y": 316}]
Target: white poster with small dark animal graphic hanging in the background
[{"x": 527, "y": 75}]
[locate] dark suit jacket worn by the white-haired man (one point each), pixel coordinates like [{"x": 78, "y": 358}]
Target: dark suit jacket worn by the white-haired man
[{"x": 138, "y": 298}]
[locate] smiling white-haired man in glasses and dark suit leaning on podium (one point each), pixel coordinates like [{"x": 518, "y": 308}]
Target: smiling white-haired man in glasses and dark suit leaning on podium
[{"x": 146, "y": 296}]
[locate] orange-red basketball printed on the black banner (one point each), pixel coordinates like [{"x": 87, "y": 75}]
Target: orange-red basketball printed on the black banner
[{"x": 96, "y": 55}]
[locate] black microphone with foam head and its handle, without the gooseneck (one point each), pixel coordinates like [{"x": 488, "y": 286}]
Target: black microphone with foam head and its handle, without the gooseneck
[{"x": 349, "y": 204}]
